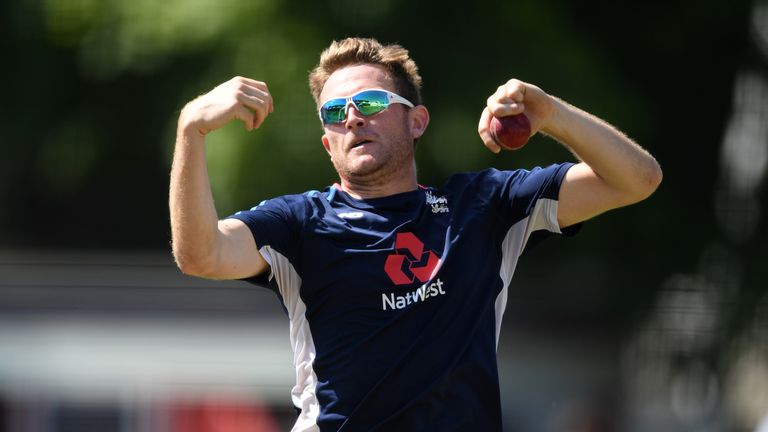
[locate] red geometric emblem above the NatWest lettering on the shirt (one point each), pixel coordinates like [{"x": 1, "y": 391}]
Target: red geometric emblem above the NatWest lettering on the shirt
[{"x": 410, "y": 261}]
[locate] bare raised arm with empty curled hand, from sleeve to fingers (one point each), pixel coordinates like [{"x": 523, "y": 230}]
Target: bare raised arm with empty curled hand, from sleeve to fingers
[{"x": 202, "y": 245}]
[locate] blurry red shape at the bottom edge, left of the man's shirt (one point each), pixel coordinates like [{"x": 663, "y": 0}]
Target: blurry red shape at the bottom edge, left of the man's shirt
[{"x": 220, "y": 415}]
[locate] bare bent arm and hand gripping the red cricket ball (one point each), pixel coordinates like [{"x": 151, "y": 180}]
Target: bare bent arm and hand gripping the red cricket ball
[{"x": 614, "y": 171}]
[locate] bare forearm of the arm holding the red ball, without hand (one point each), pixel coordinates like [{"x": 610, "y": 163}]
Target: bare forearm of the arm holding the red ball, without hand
[{"x": 615, "y": 158}]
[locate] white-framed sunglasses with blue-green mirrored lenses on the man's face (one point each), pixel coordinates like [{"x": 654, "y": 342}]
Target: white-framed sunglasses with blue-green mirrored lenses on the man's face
[{"x": 367, "y": 102}]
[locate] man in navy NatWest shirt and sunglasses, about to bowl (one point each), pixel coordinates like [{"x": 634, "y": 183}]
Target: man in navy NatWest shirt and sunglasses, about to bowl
[{"x": 394, "y": 291}]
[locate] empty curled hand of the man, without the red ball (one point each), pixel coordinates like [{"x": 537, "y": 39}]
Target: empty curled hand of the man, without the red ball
[{"x": 240, "y": 98}]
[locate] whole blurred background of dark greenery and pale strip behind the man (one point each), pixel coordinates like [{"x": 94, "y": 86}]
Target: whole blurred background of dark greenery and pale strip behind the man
[{"x": 656, "y": 317}]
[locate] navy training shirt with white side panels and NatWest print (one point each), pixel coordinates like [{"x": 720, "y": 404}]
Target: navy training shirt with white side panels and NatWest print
[{"x": 395, "y": 303}]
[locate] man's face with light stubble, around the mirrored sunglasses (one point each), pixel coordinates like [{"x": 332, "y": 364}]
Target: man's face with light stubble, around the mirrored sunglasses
[{"x": 367, "y": 149}]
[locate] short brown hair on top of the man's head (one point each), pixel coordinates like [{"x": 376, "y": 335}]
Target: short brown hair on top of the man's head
[{"x": 351, "y": 51}]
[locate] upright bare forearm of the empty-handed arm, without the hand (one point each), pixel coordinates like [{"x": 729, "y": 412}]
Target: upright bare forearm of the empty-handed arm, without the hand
[{"x": 193, "y": 214}]
